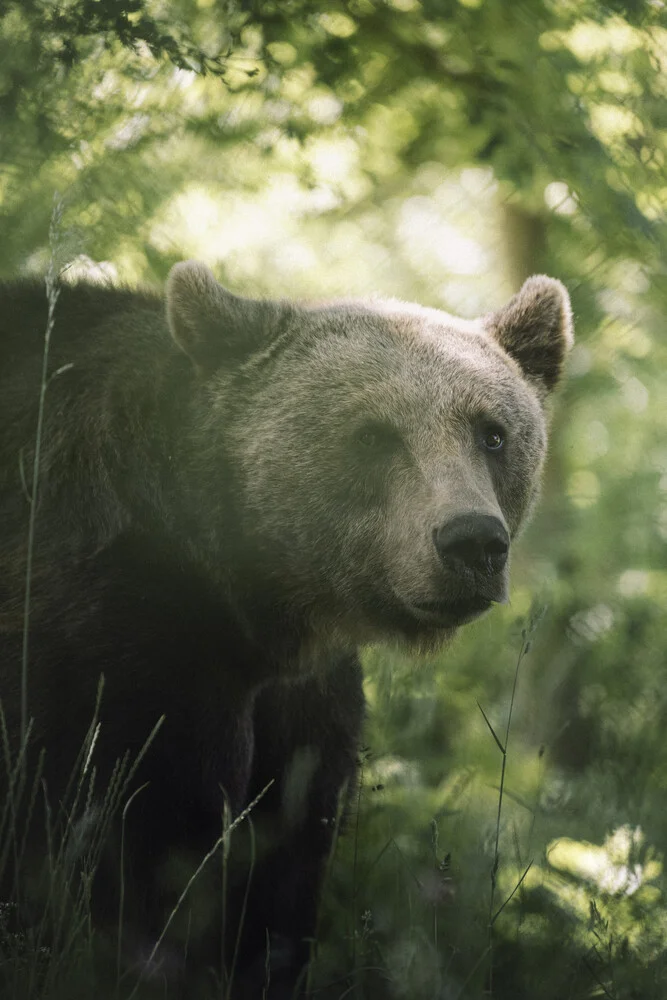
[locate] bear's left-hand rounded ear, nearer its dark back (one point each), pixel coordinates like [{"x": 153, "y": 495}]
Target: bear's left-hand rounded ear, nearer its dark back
[{"x": 211, "y": 325}]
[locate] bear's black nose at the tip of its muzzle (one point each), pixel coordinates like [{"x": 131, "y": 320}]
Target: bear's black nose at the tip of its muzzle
[{"x": 473, "y": 541}]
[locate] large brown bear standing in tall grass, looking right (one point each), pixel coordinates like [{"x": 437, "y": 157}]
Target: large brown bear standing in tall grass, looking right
[{"x": 233, "y": 496}]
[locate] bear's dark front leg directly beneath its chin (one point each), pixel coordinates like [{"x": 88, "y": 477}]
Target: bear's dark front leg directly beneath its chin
[{"x": 307, "y": 736}]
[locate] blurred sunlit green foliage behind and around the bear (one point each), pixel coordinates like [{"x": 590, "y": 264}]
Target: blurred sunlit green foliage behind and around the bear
[{"x": 441, "y": 151}]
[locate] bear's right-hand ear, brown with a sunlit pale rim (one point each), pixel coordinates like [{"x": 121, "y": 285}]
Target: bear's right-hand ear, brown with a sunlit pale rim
[{"x": 535, "y": 328}]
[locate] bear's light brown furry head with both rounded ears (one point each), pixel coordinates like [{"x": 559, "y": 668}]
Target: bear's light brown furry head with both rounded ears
[{"x": 383, "y": 455}]
